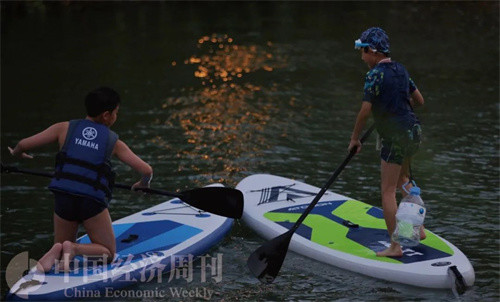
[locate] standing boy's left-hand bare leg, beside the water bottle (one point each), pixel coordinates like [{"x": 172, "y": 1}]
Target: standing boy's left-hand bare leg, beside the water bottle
[{"x": 389, "y": 179}]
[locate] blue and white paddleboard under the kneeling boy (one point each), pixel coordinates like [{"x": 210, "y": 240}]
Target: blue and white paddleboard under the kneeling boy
[{"x": 147, "y": 244}]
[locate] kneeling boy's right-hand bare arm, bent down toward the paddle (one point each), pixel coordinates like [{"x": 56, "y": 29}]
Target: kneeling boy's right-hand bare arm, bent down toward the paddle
[{"x": 123, "y": 152}]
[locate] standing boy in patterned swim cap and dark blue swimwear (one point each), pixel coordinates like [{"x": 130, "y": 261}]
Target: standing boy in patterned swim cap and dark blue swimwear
[{"x": 390, "y": 94}]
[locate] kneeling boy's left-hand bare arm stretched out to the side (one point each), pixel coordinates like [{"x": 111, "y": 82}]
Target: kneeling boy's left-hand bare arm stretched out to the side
[{"x": 49, "y": 135}]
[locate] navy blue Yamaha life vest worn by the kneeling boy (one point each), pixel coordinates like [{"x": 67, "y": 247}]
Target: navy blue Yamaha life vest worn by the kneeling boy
[{"x": 83, "y": 165}]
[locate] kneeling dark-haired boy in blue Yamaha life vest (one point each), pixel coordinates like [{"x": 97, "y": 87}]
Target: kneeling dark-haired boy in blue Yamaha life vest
[{"x": 84, "y": 178}]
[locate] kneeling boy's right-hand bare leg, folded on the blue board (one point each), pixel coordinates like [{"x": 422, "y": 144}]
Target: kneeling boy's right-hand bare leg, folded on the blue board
[{"x": 100, "y": 232}]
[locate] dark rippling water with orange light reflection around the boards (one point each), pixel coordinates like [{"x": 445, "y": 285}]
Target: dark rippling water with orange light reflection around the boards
[{"x": 217, "y": 91}]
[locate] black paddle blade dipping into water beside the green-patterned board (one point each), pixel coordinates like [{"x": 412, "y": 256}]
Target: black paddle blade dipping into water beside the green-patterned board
[{"x": 265, "y": 262}]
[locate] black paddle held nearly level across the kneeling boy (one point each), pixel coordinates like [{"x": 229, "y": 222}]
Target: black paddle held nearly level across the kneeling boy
[{"x": 222, "y": 201}]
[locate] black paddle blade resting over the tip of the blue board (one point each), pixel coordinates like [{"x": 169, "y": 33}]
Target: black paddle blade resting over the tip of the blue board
[{"x": 221, "y": 201}]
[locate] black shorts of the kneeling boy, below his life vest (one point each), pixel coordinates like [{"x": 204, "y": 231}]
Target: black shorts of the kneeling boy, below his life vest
[{"x": 75, "y": 207}]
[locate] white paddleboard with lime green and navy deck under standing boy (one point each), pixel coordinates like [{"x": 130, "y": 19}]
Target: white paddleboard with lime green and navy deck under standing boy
[{"x": 347, "y": 233}]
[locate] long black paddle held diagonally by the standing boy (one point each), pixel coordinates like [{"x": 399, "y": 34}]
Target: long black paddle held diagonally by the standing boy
[{"x": 265, "y": 262}]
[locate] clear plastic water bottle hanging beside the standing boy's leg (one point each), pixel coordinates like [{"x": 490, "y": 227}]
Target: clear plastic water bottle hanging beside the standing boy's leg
[{"x": 409, "y": 218}]
